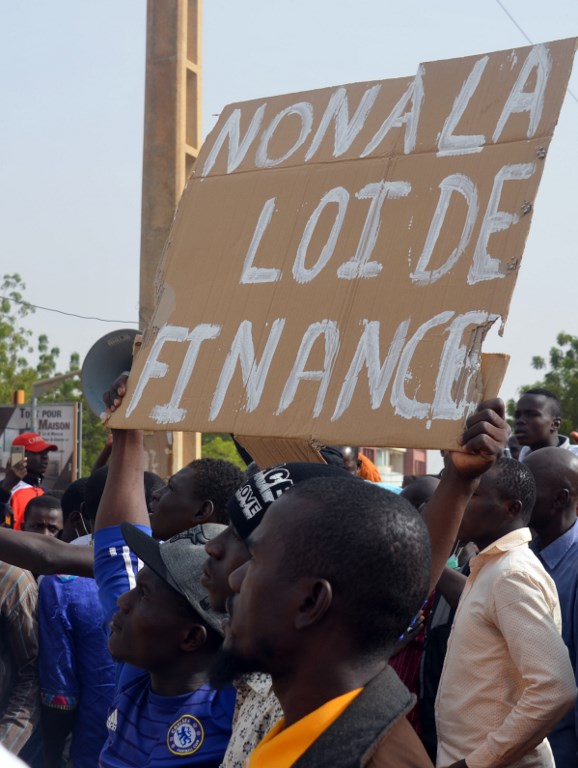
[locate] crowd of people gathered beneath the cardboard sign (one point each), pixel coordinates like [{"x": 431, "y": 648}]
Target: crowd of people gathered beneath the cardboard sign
[{"x": 296, "y": 615}]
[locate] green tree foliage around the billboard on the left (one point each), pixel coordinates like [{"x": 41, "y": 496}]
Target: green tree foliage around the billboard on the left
[{"x": 17, "y": 344}]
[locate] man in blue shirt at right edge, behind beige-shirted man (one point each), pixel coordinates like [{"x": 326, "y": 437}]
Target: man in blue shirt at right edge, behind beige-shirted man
[{"x": 554, "y": 520}]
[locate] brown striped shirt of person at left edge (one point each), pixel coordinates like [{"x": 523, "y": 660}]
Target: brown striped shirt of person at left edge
[{"x": 19, "y": 689}]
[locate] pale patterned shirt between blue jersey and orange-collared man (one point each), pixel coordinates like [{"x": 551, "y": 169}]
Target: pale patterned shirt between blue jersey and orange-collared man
[{"x": 257, "y": 709}]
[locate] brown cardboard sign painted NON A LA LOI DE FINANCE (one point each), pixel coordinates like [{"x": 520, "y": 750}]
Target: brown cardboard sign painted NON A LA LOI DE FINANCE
[{"x": 338, "y": 256}]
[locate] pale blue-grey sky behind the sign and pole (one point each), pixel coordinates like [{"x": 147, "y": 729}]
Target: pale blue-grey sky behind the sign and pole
[{"x": 72, "y": 89}]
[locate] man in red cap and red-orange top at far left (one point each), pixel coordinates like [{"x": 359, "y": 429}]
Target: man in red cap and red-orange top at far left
[{"x": 23, "y": 483}]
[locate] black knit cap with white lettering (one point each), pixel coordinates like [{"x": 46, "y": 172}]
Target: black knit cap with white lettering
[{"x": 250, "y": 502}]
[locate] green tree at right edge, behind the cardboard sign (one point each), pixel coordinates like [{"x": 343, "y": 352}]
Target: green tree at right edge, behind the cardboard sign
[{"x": 560, "y": 377}]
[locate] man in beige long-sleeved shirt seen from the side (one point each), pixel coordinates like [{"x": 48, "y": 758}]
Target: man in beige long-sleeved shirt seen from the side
[{"x": 507, "y": 677}]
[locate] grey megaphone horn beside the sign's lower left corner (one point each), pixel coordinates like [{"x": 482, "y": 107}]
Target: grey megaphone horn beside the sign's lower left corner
[{"x": 110, "y": 356}]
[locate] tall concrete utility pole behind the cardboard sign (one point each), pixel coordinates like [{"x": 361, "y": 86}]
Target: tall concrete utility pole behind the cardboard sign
[{"x": 172, "y": 138}]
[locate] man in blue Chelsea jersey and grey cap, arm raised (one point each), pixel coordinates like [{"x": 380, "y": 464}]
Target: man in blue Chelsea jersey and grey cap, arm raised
[{"x": 162, "y": 624}]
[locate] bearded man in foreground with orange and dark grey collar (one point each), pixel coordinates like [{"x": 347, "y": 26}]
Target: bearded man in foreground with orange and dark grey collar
[{"x": 319, "y": 606}]
